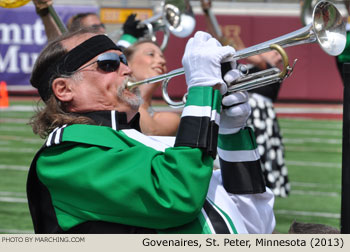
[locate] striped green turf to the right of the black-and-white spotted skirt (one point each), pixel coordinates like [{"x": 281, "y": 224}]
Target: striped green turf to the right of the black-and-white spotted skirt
[{"x": 313, "y": 157}]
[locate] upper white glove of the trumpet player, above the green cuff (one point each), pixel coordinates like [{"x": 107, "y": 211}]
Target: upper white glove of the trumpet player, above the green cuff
[{"x": 201, "y": 61}]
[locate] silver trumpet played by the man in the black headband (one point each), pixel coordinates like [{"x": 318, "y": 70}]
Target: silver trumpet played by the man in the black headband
[{"x": 327, "y": 29}]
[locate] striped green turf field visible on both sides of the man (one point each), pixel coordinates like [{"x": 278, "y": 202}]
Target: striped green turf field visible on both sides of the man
[{"x": 313, "y": 156}]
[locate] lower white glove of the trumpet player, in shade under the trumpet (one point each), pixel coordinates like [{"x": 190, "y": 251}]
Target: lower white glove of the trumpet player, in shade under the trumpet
[{"x": 234, "y": 117}]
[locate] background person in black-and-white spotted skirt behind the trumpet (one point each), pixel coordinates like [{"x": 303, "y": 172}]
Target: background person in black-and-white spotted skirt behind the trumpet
[{"x": 263, "y": 118}]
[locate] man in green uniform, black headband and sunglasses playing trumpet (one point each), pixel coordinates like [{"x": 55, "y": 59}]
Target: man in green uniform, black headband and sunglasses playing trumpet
[{"x": 97, "y": 173}]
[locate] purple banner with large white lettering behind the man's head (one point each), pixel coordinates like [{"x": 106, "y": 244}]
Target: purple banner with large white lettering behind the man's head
[{"x": 22, "y": 37}]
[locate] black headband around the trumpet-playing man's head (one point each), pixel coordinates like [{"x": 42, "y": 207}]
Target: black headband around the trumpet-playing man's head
[{"x": 71, "y": 61}]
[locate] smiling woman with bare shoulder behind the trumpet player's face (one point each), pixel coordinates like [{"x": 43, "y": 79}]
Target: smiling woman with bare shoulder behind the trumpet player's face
[{"x": 146, "y": 60}]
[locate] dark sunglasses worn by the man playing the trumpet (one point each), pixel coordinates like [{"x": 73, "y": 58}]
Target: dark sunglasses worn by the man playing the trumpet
[{"x": 107, "y": 62}]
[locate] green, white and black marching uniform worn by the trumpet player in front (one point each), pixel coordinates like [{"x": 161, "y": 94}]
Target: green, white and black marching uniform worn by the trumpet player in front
[{"x": 113, "y": 179}]
